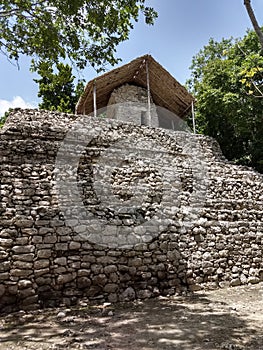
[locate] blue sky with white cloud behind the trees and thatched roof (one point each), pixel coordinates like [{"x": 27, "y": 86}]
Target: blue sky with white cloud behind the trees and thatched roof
[{"x": 181, "y": 30}]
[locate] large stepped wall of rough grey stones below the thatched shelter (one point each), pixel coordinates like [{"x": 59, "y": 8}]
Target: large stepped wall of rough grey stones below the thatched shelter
[{"x": 186, "y": 218}]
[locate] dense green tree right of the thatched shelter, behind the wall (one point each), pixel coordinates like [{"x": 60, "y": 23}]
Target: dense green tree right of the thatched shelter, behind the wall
[{"x": 226, "y": 80}]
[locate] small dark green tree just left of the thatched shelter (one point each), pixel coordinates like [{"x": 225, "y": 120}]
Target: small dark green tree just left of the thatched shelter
[{"x": 57, "y": 89}]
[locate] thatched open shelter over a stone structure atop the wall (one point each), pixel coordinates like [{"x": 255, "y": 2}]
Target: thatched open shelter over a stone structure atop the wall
[{"x": 143, "y": 82}]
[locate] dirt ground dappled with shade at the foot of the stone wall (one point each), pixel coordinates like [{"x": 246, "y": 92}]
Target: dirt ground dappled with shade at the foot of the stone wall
[{"x": 230, "y": 318}]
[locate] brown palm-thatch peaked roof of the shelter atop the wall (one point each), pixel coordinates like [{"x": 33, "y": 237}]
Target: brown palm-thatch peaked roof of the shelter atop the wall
[{"x": 166, "y": 91}]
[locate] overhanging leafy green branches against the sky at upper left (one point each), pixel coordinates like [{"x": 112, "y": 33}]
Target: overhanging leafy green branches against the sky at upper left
[{"x": 83, "y": 31}]
